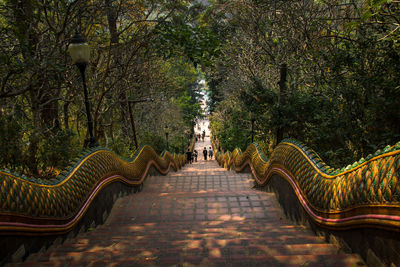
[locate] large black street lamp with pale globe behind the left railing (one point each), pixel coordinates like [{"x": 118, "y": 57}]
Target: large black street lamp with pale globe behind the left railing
[{"x": 80, "y": 54}]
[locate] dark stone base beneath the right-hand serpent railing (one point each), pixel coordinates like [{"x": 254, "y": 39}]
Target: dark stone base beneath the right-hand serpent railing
[{"x": 378, "y": 247}]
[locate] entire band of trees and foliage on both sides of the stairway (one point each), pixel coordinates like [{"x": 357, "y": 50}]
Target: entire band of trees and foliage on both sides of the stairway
[{"x": 341, "y": 94}]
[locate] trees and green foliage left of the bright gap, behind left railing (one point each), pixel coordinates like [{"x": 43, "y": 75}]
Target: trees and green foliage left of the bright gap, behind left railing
[{"x": 43, "y": 119}]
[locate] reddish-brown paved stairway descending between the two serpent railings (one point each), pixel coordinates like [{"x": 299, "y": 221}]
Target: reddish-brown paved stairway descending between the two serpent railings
[{"x": 201, "y": 215}]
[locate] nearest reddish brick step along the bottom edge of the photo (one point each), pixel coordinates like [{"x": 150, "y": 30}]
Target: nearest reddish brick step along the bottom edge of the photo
[{"x": 351, "y": 260}]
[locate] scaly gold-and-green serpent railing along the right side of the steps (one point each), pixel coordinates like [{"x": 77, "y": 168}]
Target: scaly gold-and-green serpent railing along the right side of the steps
[{"x": 364, "y": 194}]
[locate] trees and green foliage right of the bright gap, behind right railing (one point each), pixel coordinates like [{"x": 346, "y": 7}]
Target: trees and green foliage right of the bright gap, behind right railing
[{"x": 341, "y": 95}]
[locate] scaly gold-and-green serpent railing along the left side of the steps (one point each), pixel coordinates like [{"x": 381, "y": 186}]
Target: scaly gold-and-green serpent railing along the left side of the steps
[{"x": 33, "y": 207}]
